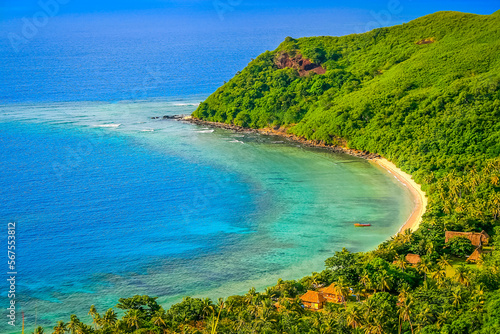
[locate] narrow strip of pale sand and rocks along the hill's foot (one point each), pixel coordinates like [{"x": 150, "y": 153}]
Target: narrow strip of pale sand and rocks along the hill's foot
[{"x": 419, "y": 196}]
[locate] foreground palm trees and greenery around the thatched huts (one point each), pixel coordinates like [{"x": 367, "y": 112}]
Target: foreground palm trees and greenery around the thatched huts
[{"x": 388, "y": 296}]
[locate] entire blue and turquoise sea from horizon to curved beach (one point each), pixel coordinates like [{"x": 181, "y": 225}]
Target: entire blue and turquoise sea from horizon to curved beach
[{"x": 109, "y": 202}]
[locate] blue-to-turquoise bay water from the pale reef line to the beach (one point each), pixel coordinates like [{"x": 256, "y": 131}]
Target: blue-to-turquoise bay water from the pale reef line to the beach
[{"x": 110, "y": 203}]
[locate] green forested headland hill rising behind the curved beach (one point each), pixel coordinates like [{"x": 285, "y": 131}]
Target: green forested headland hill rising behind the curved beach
[{"x": 424, "y": 94}]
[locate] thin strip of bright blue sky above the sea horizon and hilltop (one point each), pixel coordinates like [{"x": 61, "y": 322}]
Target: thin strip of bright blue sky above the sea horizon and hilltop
[{"x": 411, "y": 8}]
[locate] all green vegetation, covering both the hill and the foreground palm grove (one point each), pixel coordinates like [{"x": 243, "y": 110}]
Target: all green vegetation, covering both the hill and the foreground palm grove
[{"x": 426, "y": 96}]
